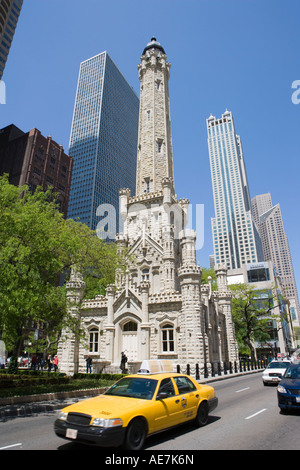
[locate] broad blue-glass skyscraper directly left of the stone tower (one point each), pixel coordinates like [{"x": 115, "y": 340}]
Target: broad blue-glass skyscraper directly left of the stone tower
[{"x": 103, "y": 140}]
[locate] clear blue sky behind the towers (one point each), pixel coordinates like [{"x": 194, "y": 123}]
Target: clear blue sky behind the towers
[{"x": 242, "y": 55}]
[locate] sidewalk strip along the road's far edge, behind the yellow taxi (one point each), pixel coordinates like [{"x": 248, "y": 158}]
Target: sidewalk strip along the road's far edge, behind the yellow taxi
[{"x": 51, "y": 402}]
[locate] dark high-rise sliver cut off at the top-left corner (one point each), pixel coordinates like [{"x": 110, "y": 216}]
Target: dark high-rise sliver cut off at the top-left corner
[{"x": 9, "y": 15}]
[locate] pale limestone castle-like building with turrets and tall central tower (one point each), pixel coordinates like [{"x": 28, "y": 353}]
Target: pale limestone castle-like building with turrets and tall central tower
[{"x": 158, "y": 309}]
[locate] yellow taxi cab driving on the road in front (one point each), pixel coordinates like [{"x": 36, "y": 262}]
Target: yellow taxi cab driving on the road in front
[{"x": 137, "y": 406}]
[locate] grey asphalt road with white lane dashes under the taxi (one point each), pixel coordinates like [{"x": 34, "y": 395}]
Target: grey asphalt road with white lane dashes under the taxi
[{"x": 247, "y": 418}]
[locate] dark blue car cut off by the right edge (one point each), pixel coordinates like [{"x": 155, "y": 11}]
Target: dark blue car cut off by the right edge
[{"x": 288, "y": 391}]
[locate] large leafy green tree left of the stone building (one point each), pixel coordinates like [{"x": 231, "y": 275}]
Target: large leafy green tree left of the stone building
[{"x": 37, "y": 245}]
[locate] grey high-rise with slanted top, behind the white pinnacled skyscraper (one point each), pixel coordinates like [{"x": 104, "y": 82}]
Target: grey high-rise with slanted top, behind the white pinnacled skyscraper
[{"x": 276, "y": 246}]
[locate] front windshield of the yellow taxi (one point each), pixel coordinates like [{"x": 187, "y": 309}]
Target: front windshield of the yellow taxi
[{"x": 133, "y": 387}]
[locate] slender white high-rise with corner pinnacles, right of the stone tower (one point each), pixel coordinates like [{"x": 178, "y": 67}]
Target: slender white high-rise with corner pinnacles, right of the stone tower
[{"x": 235, "y": 236}]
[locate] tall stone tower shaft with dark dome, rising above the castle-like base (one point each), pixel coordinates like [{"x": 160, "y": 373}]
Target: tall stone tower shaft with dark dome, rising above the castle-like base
[{"x": 154, "y": 153}]
